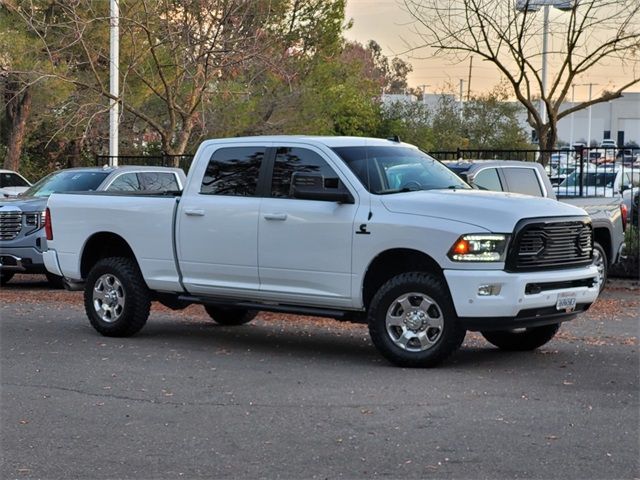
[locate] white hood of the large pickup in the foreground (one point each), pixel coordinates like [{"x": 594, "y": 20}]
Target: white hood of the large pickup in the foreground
[{"x": 492, "y": 211}]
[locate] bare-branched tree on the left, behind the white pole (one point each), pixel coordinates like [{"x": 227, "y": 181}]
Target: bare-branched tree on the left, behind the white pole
[{"x": 173, "y": 53}]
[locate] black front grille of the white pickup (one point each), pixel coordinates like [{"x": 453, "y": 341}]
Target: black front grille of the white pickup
[{"x": 548, "y": 244}]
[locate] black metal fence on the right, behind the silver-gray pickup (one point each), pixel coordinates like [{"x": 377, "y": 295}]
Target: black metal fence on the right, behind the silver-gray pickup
[{"x": 578, "y": 172}]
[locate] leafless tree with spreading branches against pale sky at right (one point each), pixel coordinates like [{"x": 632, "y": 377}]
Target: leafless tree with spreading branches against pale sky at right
[{"x": 594, "y": 33}]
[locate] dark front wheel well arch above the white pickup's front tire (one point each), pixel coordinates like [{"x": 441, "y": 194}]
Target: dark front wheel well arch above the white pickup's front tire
[{"x": 390, "y": 263}]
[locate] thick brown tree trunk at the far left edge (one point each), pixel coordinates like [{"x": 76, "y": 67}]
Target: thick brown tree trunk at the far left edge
[{"x": 17, "y": 110}]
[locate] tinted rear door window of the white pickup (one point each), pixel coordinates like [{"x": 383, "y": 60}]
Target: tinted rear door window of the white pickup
[{"x": 233, "y": 171}]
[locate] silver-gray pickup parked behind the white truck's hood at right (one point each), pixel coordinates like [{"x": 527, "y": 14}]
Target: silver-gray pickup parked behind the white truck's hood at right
[{"x": 530, "y": 178}]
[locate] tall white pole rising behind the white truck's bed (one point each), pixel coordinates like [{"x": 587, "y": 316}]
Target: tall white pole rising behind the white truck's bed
[{"x": 114, "y": 71}]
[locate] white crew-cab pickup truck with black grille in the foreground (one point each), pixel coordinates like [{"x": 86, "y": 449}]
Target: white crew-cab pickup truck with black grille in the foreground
[{"x": 357, "y": 229}]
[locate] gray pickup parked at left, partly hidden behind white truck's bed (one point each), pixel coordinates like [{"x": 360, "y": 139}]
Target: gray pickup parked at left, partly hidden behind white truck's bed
[{"x": 22, "y": 237}]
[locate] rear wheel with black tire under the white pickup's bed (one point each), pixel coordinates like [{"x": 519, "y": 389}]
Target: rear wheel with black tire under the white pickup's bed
[{"x": 128, "y": 291}]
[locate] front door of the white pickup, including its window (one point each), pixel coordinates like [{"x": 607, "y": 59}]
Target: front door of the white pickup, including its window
[{"x": 304, "y": 246}]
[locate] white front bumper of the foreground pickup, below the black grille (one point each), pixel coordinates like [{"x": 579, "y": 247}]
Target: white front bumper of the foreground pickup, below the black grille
[{"x": 495, "y": 299}]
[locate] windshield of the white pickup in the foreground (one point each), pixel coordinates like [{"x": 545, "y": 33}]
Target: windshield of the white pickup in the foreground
[{"x": 384, "y": 170}]
